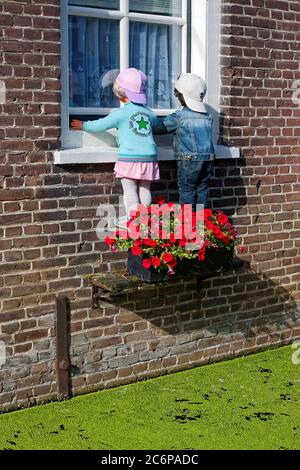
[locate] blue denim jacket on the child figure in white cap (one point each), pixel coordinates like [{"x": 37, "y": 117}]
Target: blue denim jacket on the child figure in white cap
[{"x": 193, "y": 134}]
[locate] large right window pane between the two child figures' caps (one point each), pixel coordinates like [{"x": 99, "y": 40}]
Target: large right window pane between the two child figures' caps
[{"x": 156, "y": 50}]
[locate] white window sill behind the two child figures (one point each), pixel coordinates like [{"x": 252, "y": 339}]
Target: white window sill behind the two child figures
[{"x": 88, "y": 155}]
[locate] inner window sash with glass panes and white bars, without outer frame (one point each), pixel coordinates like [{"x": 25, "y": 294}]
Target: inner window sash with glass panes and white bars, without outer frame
[{"x": 107, "y": 36}]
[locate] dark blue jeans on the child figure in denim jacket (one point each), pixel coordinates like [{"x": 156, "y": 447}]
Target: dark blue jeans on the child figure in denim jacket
[{"x": 193, "y": 178}]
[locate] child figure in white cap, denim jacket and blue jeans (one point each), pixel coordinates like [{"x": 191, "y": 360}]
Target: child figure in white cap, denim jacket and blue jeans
[{"x": 194, "y": 150}]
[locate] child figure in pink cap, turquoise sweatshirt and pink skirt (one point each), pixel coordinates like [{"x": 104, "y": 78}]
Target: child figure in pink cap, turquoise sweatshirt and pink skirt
[{"x": 137, "y": 163}]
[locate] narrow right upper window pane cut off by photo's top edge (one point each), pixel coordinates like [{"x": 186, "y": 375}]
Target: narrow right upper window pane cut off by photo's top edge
[{"x": 158, "y": 7}]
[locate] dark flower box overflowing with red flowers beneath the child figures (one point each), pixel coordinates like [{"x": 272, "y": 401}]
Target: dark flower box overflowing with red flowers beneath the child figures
[{"x": 168, "y": 240}]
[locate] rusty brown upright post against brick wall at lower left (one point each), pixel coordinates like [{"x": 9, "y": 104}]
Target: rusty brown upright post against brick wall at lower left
[{"x": 62, "y": 349}]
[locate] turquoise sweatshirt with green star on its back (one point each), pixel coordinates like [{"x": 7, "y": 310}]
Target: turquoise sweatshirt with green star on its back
[{"x": 134, "y": 132}]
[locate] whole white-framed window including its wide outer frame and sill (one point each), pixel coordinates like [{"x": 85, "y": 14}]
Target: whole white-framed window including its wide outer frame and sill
[{"x": 163, "y": 38}]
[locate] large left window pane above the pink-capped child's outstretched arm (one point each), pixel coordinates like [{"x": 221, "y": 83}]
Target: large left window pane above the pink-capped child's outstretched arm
[{"x": 93, "y": 61}]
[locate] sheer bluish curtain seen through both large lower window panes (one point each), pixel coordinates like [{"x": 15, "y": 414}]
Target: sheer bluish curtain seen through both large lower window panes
[{"x": 94, "y": 59}]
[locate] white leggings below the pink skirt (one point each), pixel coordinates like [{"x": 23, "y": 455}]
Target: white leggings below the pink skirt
[{"x": 135, "y": 192}]
